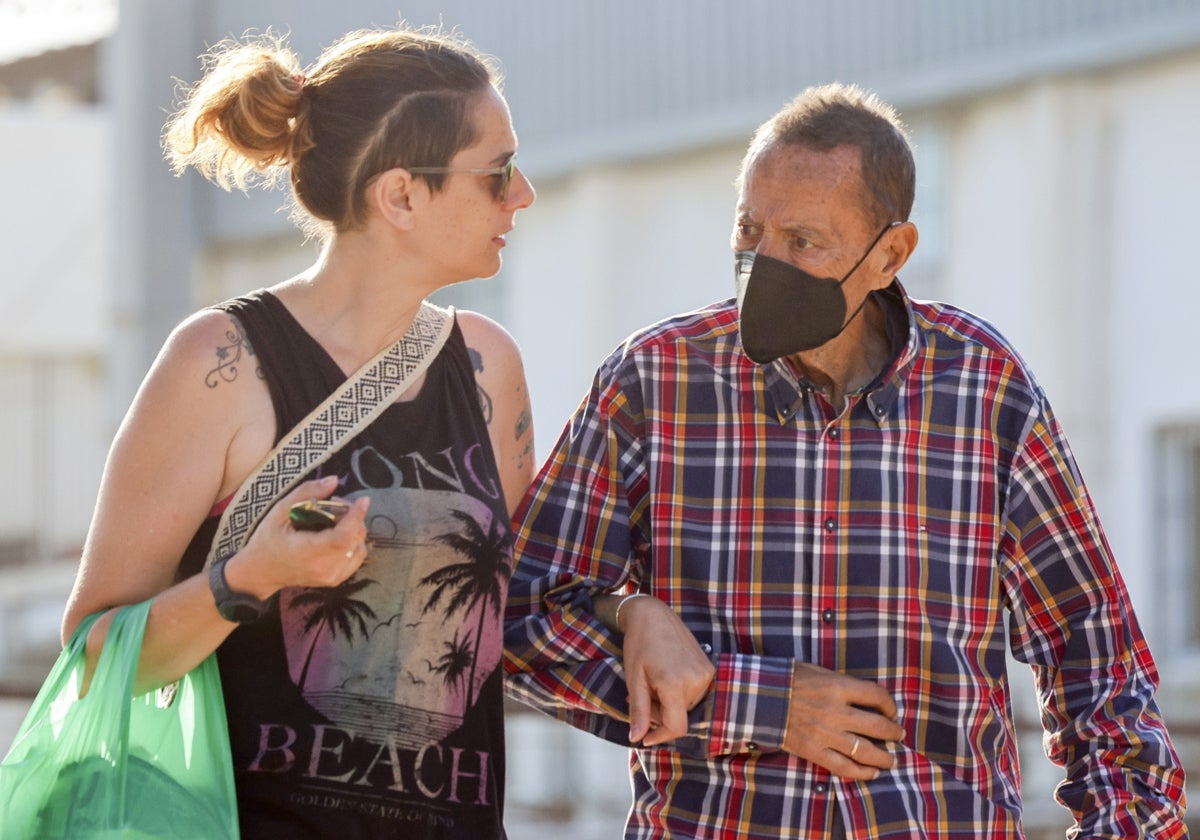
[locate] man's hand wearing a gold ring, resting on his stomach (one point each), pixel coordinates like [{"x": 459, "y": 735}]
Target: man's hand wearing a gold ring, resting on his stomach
[{"x": 841, "y": 723}]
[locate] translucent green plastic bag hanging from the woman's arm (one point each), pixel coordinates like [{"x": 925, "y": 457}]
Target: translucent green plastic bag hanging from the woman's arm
[{"x": 117, "y": 766}]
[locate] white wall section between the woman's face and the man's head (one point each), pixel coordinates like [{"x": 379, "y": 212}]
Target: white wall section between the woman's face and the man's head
[{"x": 605, "y": 253}]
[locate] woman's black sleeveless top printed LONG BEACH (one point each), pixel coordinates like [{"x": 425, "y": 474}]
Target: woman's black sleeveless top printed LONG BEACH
[{"x": 375, "y": 709}]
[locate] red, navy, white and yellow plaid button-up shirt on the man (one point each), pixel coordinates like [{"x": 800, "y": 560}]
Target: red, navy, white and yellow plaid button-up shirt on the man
[{"x": 890, "y": 542}]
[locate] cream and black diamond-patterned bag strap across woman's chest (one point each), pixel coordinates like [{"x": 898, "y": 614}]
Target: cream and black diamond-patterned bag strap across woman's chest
[{"x": 344, "y": 415}]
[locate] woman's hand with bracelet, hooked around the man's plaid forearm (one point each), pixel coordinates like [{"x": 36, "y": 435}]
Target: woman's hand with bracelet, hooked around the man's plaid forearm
[{"x": 667, "y": 671}]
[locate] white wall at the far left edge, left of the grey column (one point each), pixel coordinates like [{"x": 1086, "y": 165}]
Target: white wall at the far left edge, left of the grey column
[{"x": 55, "y": 223}]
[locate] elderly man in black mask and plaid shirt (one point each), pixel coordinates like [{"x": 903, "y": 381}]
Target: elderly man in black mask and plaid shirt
[{"x": 820, "y": 514}]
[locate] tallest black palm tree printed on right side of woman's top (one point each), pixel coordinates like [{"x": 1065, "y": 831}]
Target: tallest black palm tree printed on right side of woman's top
[{"x": 481, "y": 581}]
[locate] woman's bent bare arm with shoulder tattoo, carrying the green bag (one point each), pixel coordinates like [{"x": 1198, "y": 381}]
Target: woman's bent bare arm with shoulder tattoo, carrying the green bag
[{"x": 196, "y": 429}]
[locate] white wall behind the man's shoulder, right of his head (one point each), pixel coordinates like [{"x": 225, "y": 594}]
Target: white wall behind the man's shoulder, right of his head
[{"x": 1072, "y": 213}]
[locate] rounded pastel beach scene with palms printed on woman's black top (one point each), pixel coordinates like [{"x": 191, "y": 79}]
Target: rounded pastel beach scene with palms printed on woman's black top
[{"x": 380, "y": 682}]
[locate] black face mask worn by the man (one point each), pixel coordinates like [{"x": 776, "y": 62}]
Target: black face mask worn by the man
[{"x": 785, "y": 310}]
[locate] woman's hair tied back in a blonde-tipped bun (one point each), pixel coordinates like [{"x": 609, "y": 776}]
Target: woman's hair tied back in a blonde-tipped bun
[{"x": 374, "y": 100}]
